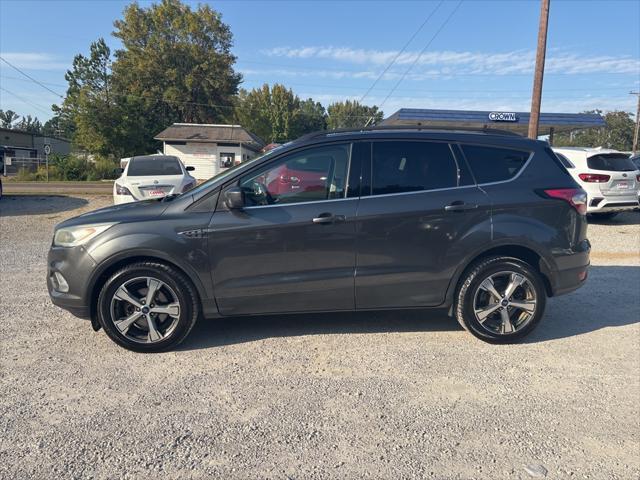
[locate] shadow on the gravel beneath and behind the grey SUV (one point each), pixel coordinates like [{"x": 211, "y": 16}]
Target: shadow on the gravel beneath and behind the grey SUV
[{"x": 605, "y": 301}]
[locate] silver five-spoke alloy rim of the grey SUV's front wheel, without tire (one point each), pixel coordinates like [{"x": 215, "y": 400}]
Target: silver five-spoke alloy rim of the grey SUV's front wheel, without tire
[{"x": 145, "y": 310}]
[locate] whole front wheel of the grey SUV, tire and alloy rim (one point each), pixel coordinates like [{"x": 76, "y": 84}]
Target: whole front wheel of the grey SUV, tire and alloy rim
[{"x": 147, "y": 307}]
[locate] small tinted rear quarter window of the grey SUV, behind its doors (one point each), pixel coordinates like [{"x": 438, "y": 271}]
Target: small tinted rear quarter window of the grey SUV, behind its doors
[{"x": 494, "y": 164}]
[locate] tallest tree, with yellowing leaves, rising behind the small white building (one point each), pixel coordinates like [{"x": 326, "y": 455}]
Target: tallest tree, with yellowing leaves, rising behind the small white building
[{"x": 176, "y": 62}]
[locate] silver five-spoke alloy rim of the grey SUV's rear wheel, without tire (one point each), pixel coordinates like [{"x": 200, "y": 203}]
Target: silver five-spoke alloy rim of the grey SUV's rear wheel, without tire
[{"x": 505, "y": 302}]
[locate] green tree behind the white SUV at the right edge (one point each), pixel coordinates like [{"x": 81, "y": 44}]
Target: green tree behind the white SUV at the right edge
[{"x": 617, "y": 133}]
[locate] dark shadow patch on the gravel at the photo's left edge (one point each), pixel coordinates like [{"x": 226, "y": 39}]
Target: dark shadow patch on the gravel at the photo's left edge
[{"x": 12, "y": 205}]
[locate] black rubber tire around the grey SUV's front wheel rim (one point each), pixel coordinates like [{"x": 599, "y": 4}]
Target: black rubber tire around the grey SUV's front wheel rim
[{"x": 172, "y": 279}]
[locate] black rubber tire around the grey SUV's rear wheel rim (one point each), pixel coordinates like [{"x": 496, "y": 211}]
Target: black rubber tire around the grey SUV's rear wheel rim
[{"x": 468, "y": 290}]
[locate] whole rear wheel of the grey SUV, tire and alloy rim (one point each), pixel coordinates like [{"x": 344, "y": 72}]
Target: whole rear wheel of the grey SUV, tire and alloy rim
[{"x": 500, "y": 299}]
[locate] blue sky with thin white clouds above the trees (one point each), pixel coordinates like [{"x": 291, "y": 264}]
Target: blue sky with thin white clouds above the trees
[{"x": 482, "y": 58}]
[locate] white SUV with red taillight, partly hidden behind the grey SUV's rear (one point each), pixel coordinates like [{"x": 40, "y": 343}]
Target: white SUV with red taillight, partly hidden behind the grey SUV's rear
[{"x": 610, "y": 178}]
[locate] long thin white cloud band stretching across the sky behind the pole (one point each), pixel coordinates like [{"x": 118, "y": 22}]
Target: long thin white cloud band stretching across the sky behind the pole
[{"x": 513, "y": 62}]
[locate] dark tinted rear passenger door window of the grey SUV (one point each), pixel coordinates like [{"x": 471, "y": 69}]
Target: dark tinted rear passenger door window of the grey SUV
[{"x": 400, "y": 166}]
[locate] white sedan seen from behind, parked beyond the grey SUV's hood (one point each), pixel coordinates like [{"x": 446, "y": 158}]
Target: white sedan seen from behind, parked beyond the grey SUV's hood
[{"x": 152, "y": 176}]
